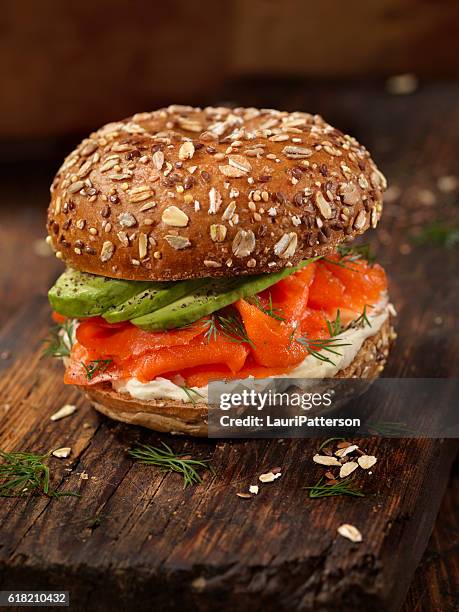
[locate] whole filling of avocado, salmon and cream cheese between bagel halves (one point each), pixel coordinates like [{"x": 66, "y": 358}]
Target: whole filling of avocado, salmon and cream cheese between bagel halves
[{"x": 308, "y": 321}]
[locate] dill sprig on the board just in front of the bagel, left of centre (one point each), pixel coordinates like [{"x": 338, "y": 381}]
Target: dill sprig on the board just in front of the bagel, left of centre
[{"x": 167, "y": 460}]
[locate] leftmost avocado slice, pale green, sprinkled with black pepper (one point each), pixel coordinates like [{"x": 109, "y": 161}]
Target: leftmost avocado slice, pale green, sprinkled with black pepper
[{"x": 79, "y": 294}]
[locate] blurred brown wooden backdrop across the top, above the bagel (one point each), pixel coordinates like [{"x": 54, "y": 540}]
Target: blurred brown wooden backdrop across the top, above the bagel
[{"x": 68, "y": 67}]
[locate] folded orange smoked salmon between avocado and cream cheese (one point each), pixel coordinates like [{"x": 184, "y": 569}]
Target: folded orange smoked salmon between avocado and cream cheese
[{"x": 295, "y": 307}]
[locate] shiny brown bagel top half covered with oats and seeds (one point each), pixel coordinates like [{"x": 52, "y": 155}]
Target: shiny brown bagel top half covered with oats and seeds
[{"x": 185, "y": 192}]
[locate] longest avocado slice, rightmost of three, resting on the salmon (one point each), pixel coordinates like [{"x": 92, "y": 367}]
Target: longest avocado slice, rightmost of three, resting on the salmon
[{"x": 212, "y": 296}]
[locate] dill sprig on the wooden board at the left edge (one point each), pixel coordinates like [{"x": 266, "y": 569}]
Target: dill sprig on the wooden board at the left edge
[{"x": 24, "y": 474}]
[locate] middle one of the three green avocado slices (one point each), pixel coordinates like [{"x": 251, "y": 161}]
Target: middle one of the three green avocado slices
[{"x": 157, "y": 295}]
